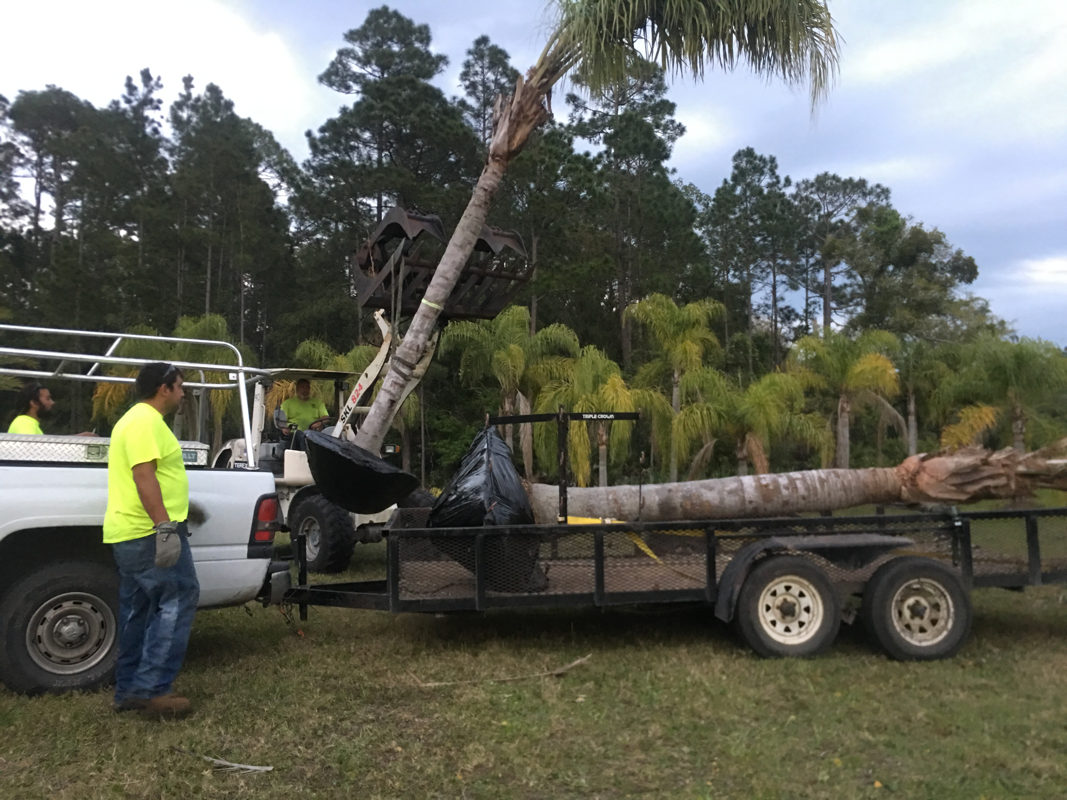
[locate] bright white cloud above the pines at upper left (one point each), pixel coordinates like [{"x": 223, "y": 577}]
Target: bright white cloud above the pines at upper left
[{"x": 100, "y": 43}]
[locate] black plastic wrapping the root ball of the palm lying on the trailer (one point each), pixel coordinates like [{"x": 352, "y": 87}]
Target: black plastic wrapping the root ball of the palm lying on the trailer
[{"x": 488, "y": 492}]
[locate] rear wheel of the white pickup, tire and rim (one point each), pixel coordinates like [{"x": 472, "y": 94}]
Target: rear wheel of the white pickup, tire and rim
[{"x": 60, "y": 629}]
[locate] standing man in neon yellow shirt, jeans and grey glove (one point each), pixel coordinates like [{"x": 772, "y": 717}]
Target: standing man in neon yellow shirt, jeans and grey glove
[{"x": 148, "y": 505}]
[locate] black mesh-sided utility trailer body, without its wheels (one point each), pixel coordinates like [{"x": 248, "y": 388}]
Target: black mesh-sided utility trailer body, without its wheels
[{"x": 451, "y": 570}]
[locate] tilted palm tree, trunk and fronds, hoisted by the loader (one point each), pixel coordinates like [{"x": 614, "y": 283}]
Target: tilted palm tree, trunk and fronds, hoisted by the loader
[{"x": 792, "y": 40}]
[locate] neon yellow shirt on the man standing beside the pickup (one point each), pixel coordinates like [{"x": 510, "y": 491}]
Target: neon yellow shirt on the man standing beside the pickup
[{"x": 141, "y": 437}]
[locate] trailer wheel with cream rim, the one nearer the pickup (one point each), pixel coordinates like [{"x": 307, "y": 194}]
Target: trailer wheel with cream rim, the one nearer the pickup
[{"x": 788, "y": 607}]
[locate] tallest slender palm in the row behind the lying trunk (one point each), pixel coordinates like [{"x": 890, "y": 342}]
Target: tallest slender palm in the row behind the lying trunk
[{"x": 682, "y": 338}]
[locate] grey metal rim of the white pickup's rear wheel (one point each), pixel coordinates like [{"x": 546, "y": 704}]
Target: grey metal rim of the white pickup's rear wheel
[{"x": 71, "y": 633}]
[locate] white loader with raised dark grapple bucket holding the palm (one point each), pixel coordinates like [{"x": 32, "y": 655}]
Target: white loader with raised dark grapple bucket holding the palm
[{"x": 391, "y": 274}]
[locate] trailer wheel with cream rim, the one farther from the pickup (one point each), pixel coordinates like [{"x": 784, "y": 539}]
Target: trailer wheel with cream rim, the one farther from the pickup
[{"x": 917, "y": 610}]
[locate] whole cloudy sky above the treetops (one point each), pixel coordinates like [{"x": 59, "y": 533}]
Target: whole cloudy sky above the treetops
[{"x": 959, "y": 106}]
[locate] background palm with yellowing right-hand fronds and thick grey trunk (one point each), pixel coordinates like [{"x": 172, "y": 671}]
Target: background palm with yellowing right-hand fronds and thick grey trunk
[{"x": 857, "y": 371}]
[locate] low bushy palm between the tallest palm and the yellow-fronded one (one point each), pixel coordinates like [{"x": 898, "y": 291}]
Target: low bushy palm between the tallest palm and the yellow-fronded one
[{"x": 752, "y": 420}]
